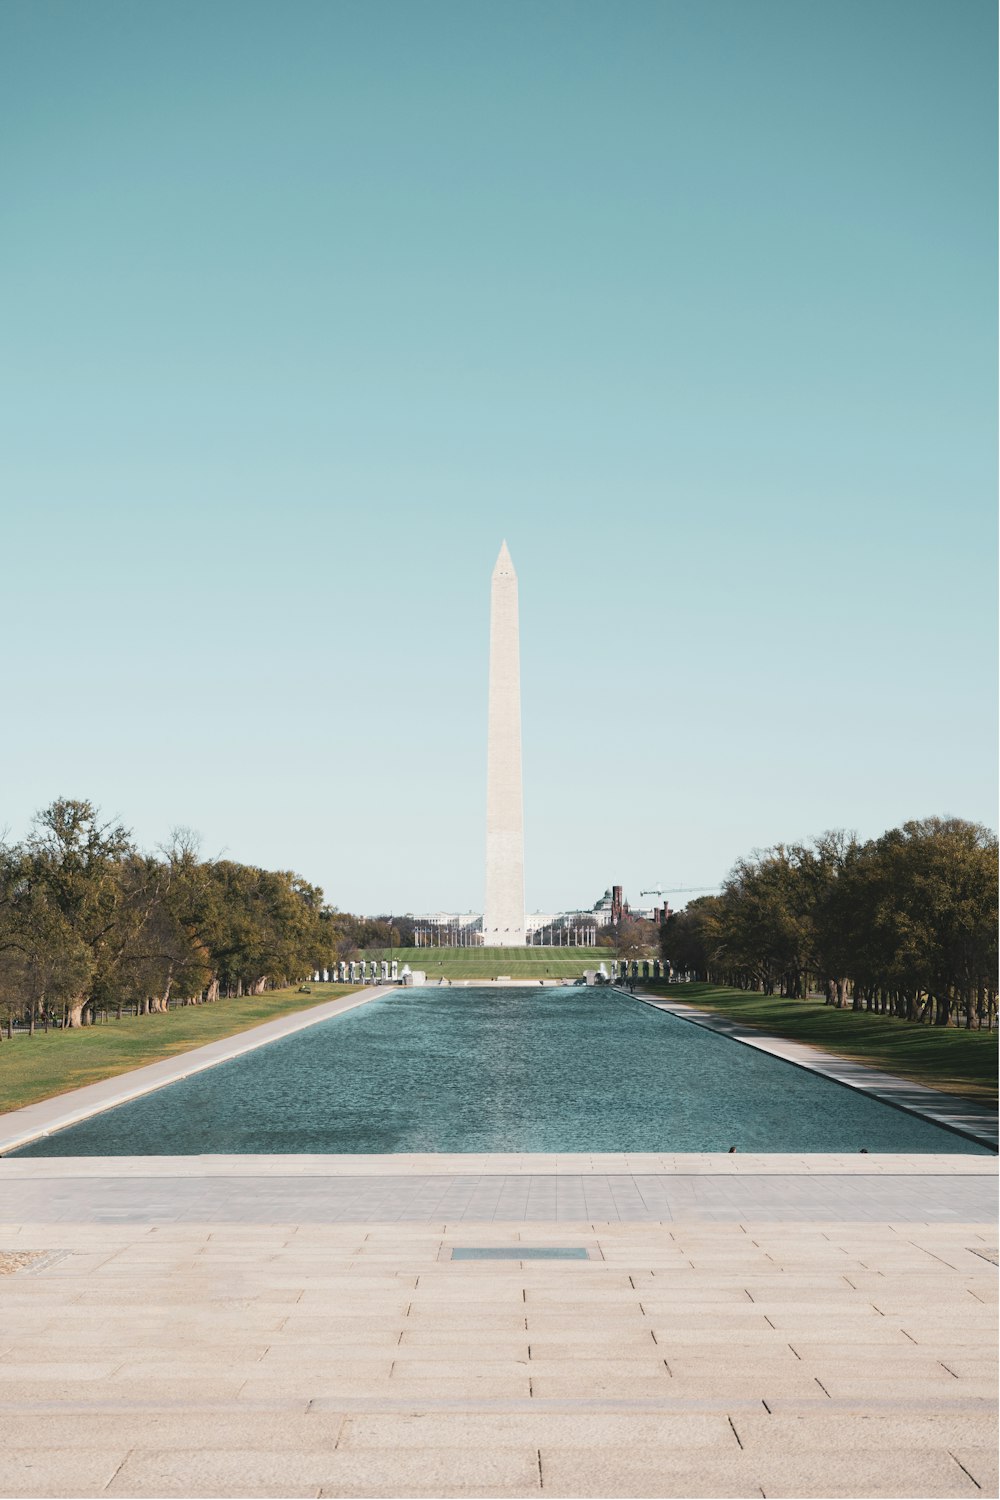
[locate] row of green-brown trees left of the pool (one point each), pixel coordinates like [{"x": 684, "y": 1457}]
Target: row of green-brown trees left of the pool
[{"x": 91, "y": 926}]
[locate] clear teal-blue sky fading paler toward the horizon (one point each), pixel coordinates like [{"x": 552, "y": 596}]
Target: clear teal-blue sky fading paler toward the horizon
[{"x": 310, "y": 305}]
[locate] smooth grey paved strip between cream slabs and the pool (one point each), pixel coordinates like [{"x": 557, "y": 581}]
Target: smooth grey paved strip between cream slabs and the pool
[{"x": 499, "y": 1198}]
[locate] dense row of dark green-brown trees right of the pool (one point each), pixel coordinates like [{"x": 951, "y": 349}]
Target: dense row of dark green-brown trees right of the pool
[{"x": 905, "y": 925}]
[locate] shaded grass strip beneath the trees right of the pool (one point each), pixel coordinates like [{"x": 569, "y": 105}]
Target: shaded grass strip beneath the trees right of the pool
[{"x": 942, "y": 1058}]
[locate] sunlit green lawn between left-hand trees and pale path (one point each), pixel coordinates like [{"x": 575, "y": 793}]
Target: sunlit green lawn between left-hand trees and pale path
[{"x": 38, "y": 1067}]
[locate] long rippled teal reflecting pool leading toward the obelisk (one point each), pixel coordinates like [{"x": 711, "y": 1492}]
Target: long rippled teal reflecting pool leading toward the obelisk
[{"x": 461, "y": 1070}]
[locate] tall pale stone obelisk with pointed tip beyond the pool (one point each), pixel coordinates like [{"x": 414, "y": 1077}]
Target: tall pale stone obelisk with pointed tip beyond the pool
[{"x": 504, "y": 914}]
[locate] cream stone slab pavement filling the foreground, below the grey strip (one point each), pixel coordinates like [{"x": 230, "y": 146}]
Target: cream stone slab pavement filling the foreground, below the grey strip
[{"x": 689, "y": 1358}]
